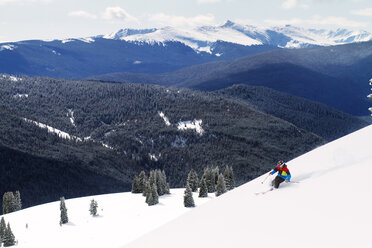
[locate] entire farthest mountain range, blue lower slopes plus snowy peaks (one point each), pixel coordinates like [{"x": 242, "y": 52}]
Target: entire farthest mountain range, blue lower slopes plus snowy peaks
[{"x": 158, "y": 50}]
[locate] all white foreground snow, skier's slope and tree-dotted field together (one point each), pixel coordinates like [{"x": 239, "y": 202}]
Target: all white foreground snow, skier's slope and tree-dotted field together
[{"x": 326, "y": 205}]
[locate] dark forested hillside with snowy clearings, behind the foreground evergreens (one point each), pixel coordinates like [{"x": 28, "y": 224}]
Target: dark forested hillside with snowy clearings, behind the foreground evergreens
[{"x": 115, "y": 130}]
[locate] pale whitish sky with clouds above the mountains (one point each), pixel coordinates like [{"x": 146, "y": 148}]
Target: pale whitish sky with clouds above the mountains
[{"x": 60, "y": 19}]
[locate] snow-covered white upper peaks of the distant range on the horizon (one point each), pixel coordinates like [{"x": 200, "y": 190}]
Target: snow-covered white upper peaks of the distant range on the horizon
[{"x": 202, "y": 38}]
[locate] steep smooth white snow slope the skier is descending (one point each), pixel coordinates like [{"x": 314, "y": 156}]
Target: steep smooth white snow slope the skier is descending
[{"x": 330, "y": 207}]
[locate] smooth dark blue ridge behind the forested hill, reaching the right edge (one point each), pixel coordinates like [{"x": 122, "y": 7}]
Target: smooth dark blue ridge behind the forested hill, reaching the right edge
[{"x": 333, "y": 75}]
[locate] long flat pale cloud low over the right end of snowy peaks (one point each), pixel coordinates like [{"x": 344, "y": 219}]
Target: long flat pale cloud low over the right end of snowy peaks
[{"x": 316, "y": 21}]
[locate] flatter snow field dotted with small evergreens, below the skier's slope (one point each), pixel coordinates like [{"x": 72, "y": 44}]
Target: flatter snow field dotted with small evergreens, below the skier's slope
[{"x": 123, "y": 217}]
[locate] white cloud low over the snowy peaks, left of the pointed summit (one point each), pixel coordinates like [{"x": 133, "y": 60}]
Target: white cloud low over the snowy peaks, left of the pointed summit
[{"x": 198, "y": 20}]
